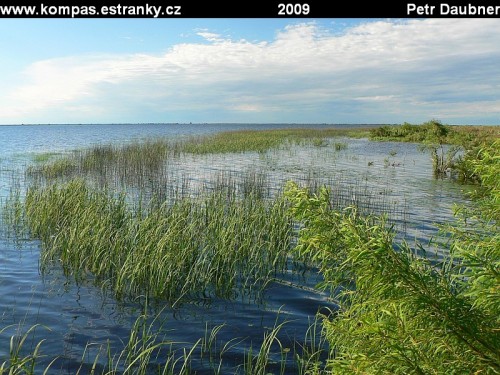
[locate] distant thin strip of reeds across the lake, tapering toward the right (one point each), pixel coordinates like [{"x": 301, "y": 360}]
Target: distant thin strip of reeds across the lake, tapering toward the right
[{"x": 143, "y": 160}]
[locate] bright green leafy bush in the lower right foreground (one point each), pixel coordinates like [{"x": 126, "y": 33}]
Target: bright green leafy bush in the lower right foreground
[{"x": 400, "y": 313}]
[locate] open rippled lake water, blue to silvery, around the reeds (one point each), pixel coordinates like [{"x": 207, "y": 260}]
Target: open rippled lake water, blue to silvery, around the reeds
[{"x": 389, "y": 177}]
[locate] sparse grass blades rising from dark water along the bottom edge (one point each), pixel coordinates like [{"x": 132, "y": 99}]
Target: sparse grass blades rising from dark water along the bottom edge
[{"x": 149, "y": 350}]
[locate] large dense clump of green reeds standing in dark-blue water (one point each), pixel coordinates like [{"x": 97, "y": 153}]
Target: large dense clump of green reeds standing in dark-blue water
[{"x": 185, "y": 249}]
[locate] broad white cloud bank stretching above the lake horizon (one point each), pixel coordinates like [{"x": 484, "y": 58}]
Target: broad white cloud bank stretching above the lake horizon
[{"x": 374, "y": 72}]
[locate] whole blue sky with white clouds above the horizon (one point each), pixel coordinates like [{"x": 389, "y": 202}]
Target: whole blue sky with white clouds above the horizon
[{"x": 369, "y": 71}]
